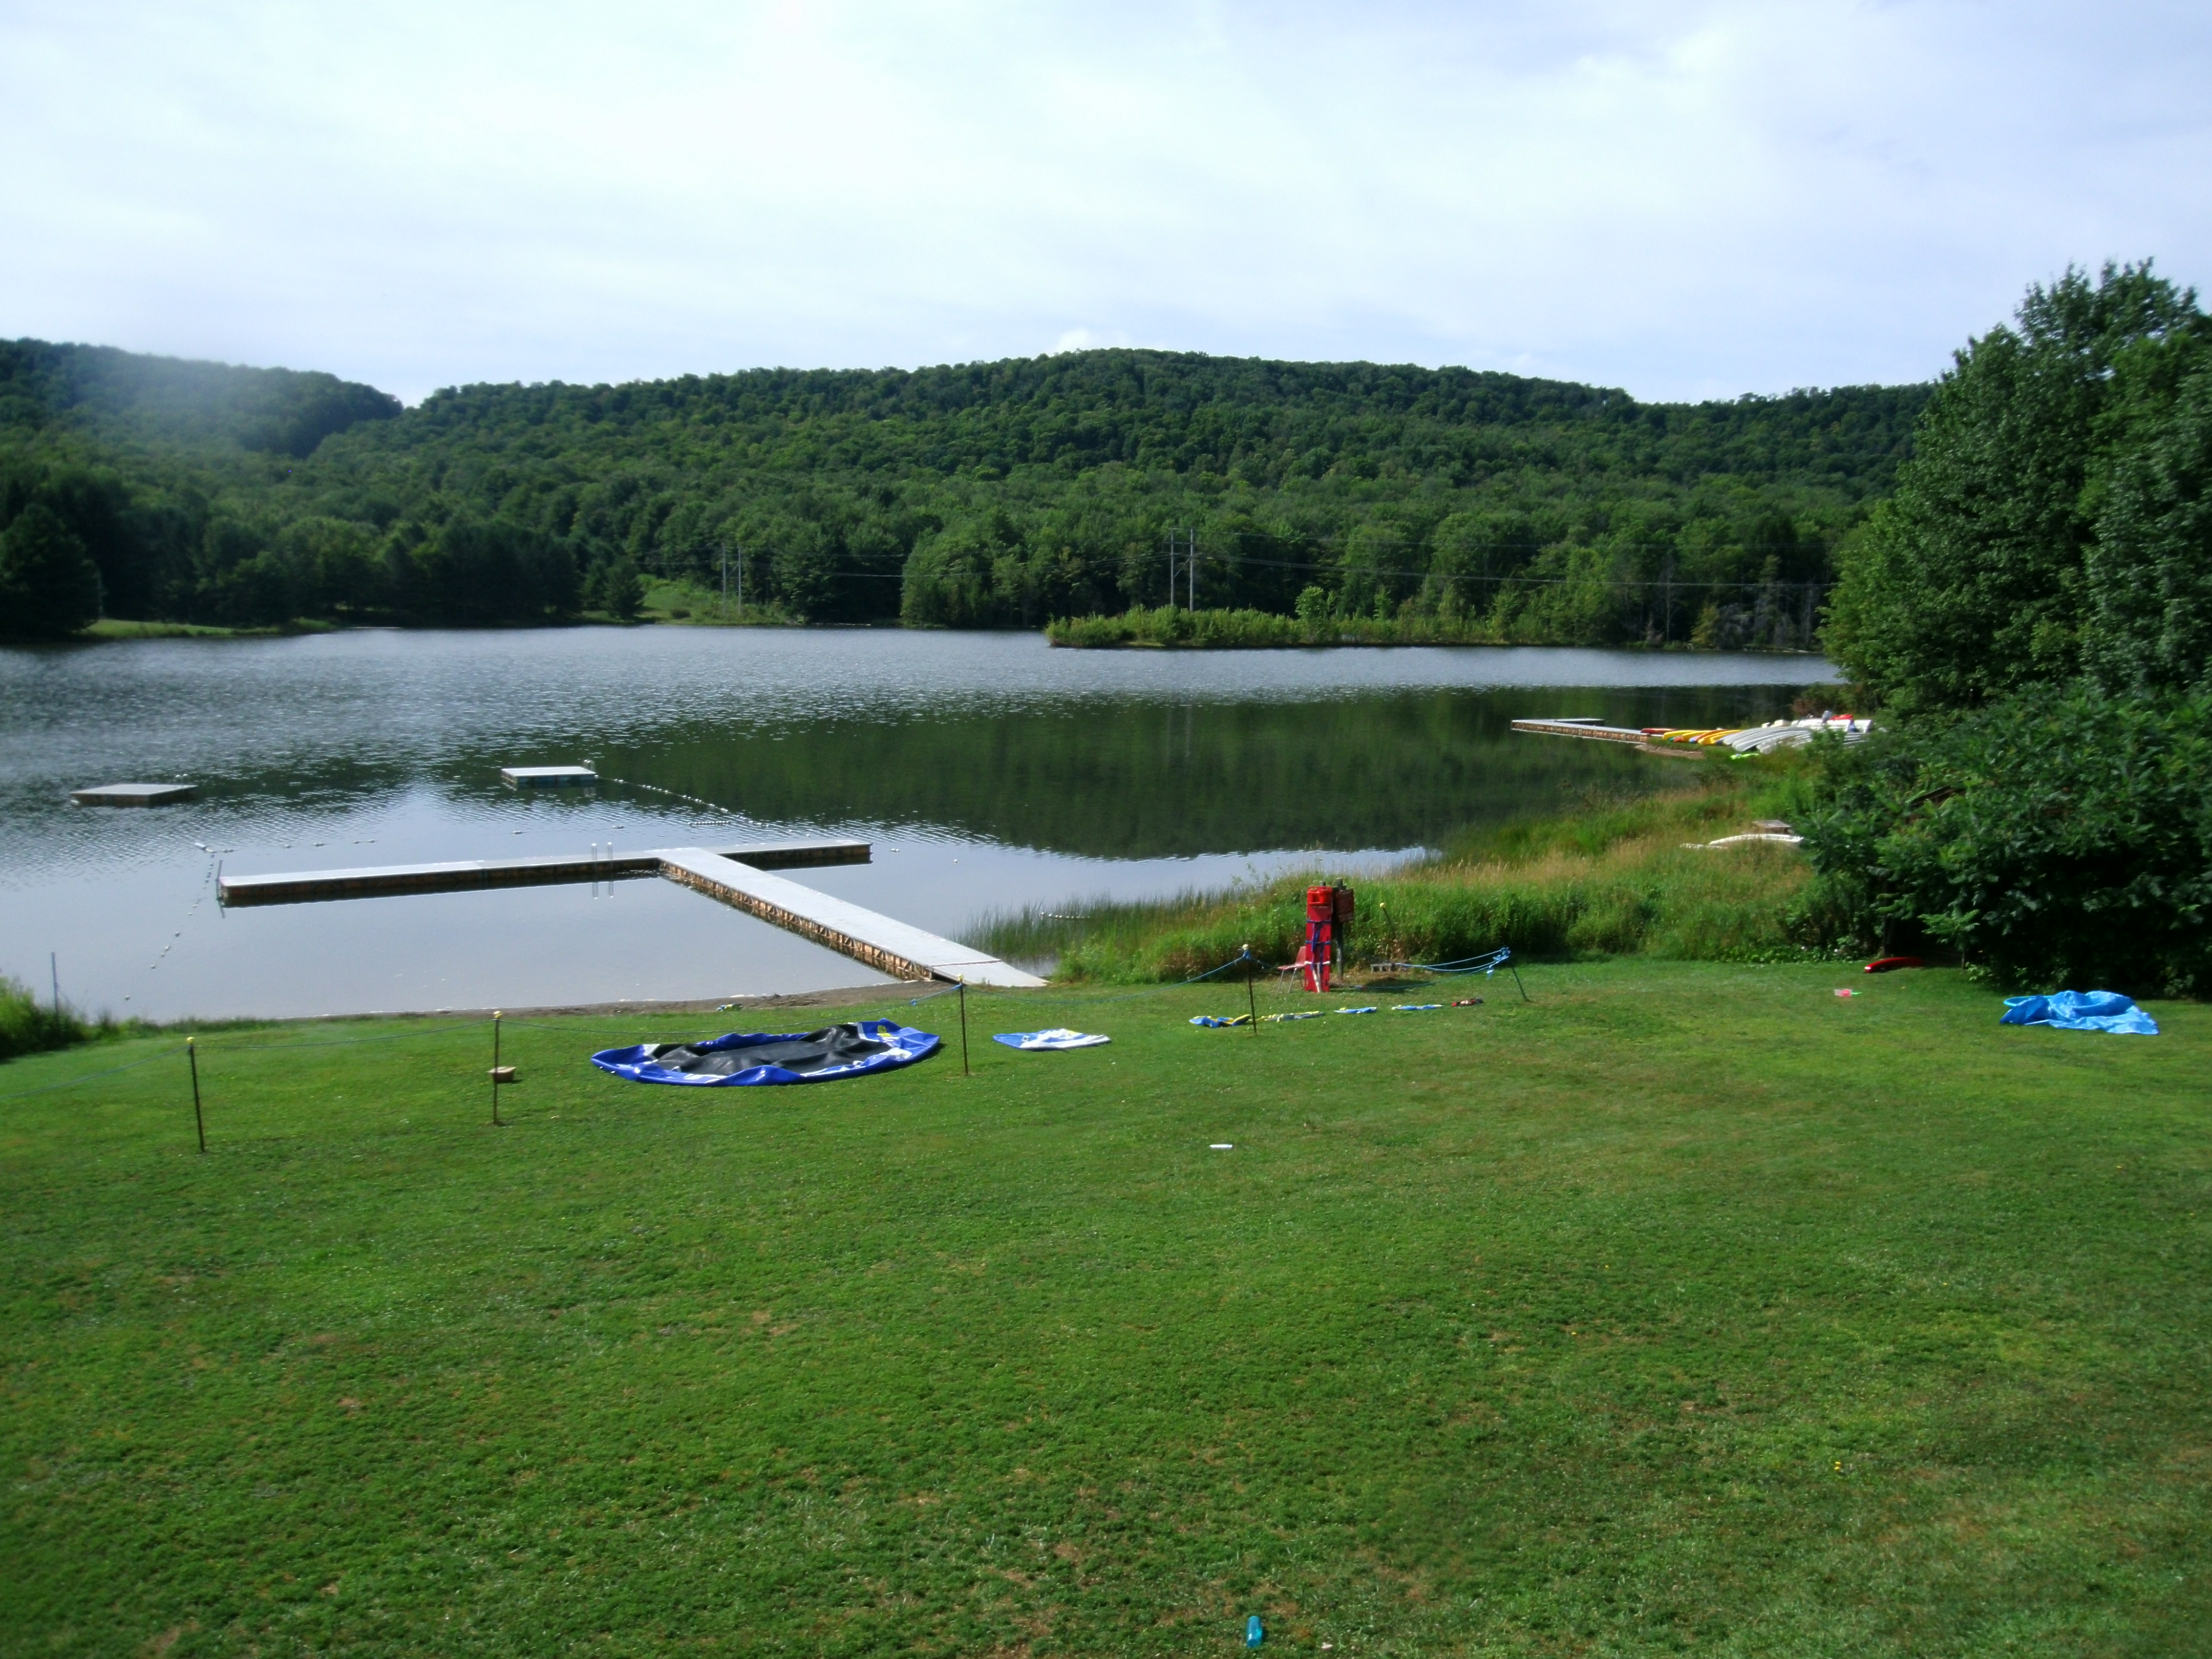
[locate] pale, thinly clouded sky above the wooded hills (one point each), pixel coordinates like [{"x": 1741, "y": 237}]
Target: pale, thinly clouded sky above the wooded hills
[{"x": 1680, "y": 200}]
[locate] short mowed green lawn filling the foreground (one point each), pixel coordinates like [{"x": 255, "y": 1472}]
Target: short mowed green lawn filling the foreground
[{"x": 1684, "y": 1308}]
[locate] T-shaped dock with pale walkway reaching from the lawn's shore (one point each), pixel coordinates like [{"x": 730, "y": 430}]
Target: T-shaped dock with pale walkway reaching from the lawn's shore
[{"x": 738, "y": 877}]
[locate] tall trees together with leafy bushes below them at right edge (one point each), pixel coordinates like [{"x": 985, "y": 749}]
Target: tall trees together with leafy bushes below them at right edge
[{"x": 2034, "y": 609}]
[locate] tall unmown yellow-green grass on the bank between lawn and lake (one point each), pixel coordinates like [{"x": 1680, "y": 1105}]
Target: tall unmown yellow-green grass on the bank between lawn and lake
[{"x": 1611, "y": 879}]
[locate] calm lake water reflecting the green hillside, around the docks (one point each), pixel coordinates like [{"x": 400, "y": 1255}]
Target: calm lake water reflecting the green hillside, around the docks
[{"x": 990, "y": 771}]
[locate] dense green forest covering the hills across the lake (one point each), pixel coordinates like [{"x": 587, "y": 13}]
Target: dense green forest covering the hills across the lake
[{"x": 990, "y": 494}]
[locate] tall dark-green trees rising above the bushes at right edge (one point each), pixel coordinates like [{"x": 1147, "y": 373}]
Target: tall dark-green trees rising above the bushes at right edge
[{"x": 2052, "y": 512}]
